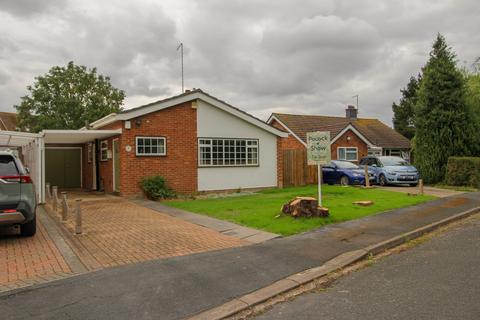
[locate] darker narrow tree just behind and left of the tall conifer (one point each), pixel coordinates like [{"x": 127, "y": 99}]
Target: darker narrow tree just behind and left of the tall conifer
[{"x": 404, "y": 111}]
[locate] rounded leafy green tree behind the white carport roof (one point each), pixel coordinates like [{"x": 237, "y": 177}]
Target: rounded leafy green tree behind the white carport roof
[{"x": 66, "y": 98}]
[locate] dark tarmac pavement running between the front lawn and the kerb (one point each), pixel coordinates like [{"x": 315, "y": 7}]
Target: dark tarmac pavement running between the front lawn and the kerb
[{"x": 183, "y": 286}]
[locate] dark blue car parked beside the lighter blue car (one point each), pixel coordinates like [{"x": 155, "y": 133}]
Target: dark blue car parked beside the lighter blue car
[{"x": 344, "y": 173}]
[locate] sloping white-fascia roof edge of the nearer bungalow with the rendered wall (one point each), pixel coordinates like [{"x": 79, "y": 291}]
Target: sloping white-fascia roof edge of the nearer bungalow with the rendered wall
[{"x": 182, "y": 98}]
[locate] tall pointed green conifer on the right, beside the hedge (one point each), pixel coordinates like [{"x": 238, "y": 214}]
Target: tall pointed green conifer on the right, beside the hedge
[{"x": 442, "y": 119}]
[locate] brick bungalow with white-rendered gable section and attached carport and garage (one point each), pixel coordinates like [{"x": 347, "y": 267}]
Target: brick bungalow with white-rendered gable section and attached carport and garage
[{"x": 194, "y": 140}]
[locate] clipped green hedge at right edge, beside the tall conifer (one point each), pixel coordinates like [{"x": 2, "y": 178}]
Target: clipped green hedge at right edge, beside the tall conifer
[{"x": 463, "y": 171}]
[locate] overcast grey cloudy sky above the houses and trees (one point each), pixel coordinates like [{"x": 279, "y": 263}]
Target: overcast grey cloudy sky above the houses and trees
[{"x": 263, "y": 56}]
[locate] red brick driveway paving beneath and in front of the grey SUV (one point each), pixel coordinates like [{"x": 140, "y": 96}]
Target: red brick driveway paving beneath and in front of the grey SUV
[{"x": 25, "y": 261}]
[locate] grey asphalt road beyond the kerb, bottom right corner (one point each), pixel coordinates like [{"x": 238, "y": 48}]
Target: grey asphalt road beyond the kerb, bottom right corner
[{"x": 439, "y": 279}]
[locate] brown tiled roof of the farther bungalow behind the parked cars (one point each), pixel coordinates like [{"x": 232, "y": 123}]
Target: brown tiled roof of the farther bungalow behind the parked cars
[{"x": 373, "y": 130}]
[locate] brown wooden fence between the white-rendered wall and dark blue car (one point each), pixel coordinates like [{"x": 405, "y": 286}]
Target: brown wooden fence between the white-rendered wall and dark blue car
[{"x": 296, "y": 172}]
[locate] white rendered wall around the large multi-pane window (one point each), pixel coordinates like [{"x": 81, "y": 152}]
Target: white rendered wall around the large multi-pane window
[{"x": 215, "y": 123}]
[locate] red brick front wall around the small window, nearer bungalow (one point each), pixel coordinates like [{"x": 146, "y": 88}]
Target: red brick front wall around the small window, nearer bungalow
[{"x": 178, "y": 125}]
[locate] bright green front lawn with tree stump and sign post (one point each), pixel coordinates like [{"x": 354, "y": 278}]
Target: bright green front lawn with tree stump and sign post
[{"x": 260, "y": 210}]
